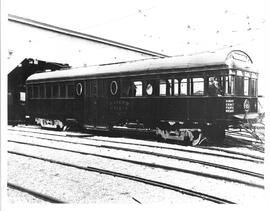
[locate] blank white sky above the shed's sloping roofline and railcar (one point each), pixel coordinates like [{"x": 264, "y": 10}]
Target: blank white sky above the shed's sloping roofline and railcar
[{"x": 170, "y": 27}]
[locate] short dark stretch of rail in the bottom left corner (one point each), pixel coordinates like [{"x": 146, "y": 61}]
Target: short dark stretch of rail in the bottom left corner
[{"x": 36, "y": 194}]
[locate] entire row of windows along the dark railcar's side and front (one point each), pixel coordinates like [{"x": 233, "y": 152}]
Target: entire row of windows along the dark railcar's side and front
[{"x": 215, "y": 86}]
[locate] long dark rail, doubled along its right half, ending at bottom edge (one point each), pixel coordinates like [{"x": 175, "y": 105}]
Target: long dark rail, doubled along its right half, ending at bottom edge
[{"x": 133, "y": 178}]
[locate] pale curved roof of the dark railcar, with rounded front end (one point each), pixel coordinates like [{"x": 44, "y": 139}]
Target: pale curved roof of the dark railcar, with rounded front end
[{"x": 232, "y": 59}]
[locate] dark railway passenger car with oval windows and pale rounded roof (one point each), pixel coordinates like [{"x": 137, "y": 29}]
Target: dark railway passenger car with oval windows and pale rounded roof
[{"x": 171, "y": 96}]
